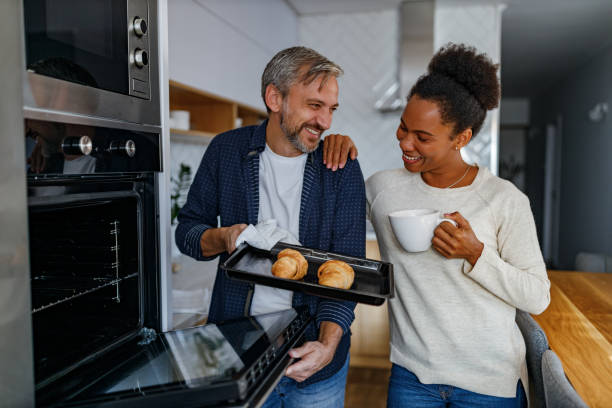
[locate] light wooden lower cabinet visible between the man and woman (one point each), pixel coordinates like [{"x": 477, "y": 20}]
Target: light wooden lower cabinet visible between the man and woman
[{"x": 370, "y": 339}]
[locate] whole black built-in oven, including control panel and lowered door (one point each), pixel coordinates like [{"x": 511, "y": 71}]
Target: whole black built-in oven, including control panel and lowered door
[{"x": 95, "y": 284}]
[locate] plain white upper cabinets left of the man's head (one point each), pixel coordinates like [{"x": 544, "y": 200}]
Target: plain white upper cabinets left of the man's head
[{"x": 223, "y": 46}]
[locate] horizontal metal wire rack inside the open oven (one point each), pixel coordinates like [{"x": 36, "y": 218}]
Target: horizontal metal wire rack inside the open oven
[{"x": 63, "y": 294}]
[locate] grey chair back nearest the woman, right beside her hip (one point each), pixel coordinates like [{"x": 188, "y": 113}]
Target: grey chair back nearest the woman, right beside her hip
[{"x": 536, "y": 343}]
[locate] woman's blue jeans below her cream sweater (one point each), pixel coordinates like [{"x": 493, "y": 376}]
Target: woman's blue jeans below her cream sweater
[{"x": 405, "y": 390}]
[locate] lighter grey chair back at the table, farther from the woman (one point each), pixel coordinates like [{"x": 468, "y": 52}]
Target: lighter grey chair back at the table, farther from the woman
[{"x": 558, "y": 391}]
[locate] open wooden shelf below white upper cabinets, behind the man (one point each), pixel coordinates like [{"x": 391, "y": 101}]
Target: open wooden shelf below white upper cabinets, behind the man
[{"x": 209, "y": 114}]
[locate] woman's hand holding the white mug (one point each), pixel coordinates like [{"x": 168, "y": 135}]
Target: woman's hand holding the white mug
[{"x": 459, "y": 241}]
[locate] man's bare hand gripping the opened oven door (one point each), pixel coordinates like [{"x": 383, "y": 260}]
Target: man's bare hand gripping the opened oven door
[{"x": 315, "y": 354}]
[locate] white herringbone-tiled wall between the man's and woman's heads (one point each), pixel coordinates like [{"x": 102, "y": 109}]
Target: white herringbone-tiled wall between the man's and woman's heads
[{"x": 365, "y": 45}]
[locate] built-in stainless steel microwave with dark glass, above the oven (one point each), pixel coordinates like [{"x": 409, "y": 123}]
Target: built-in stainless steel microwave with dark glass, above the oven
[{"x": 97, "y": 58}]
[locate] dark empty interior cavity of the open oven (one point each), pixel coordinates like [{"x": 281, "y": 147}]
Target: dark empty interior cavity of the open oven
[{"x": 85, "y": 278}]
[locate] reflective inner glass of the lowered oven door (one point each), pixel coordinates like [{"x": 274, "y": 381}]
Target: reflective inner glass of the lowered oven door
[{"x": 215, "y": 355}]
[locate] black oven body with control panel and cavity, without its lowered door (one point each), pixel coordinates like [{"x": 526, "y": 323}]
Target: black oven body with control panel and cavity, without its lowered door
[{"x": 93, "y": 239}]
